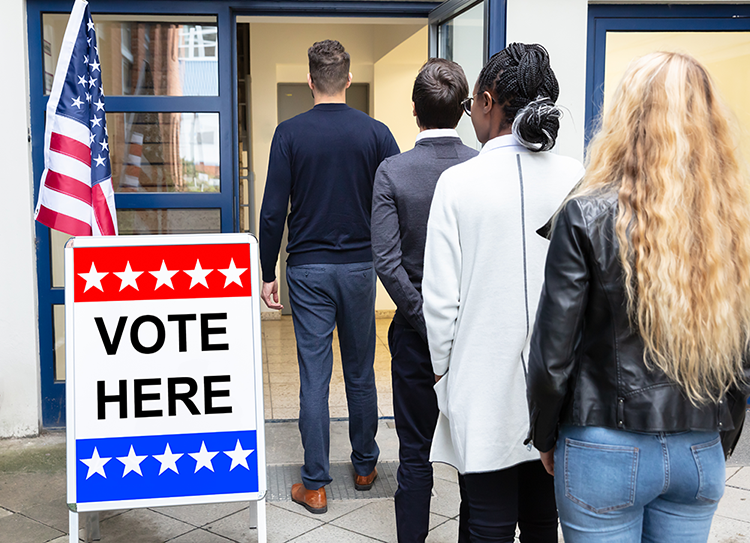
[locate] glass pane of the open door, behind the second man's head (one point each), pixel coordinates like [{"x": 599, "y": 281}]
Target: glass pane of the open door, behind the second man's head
[{"x": 461, "y": 40}]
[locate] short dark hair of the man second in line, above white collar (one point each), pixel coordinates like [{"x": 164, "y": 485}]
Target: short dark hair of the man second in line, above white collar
[{"x": 439, "y": 89}]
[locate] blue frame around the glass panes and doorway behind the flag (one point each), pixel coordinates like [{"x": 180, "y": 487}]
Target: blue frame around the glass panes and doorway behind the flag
[{"x": 225, "y": 104}]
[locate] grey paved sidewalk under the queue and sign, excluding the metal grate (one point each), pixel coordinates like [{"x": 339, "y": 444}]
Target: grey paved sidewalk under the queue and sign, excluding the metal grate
[{"x": 33, "y": 508}]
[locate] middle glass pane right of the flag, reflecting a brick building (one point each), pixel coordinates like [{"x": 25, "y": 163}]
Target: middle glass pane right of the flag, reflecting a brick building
[{"x": 164, "y": 152}]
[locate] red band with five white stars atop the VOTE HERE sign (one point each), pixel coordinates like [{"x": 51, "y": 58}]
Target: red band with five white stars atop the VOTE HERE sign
[{"x": 162, "y": 272}]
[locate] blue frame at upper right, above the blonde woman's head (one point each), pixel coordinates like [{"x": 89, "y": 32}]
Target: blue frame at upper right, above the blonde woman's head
[{"x": 604, "y": 18}]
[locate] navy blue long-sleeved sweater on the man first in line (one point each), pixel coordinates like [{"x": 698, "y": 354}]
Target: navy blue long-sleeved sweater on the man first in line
[{"x": 324, "y": 160}]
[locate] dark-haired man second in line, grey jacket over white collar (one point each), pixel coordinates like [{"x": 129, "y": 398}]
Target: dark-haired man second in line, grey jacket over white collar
[{"x": 404, "y": 186}]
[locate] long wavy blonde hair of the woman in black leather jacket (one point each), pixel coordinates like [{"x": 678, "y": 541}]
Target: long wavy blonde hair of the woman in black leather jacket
[{"x": 670, "y": 147}]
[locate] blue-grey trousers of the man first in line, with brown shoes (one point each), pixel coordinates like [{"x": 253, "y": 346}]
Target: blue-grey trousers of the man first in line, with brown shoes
[{"x": 324, "y": 297}]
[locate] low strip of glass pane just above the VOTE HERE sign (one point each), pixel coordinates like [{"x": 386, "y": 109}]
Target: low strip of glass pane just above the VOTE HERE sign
[{"x": 168, "y": 221}]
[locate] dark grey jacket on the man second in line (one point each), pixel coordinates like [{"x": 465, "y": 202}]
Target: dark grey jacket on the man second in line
[{"x": 403, "y": 190}]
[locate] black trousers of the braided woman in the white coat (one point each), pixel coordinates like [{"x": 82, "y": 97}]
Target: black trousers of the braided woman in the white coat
[{"x": 498, "y": 500}]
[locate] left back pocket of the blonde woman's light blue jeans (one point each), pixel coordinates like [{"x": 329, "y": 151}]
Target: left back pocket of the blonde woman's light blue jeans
[{"x": 599, "y": 477}]
